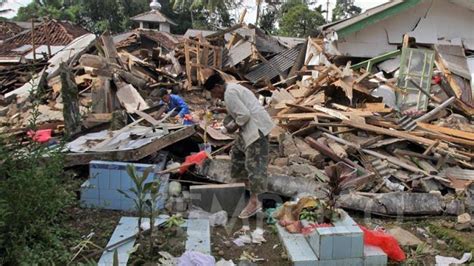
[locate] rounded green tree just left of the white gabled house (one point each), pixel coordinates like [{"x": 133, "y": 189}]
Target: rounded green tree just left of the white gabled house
[{"x": 298, "y": 20}]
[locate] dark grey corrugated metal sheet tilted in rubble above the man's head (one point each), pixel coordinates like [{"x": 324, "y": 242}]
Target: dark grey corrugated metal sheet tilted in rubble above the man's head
[{"x": 284, "y": 61}]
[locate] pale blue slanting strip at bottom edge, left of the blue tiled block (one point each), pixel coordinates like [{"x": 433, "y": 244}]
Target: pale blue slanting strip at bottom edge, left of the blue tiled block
[{"x": 297, "y": 248}]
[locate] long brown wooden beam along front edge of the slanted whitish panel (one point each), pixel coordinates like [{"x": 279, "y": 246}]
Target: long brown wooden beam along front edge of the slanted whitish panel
[{"x": 73, "y": 159}]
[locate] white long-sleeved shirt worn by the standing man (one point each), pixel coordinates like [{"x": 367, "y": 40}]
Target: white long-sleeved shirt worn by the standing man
[{"x": 247, "y": 112}]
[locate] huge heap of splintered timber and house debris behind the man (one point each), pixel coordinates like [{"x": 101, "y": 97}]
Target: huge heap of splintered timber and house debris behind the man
[{"x": 394, "y": 133}]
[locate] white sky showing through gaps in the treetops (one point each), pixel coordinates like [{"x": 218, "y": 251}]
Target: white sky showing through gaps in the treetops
[{"x": 249, "y": 4}]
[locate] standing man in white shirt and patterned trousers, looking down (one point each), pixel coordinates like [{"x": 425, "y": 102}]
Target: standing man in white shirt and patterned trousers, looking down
[{"x": 250, "y": 151}]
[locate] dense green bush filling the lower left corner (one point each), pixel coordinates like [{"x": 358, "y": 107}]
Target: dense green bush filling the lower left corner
[{"x": 33, "y": 195}]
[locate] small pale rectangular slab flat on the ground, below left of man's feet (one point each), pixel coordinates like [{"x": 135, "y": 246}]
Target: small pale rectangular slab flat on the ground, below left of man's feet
[{"x": 199, "y": 238}]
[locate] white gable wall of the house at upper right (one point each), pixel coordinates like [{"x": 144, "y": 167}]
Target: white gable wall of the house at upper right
[{"x": 439, "y": 21}]
